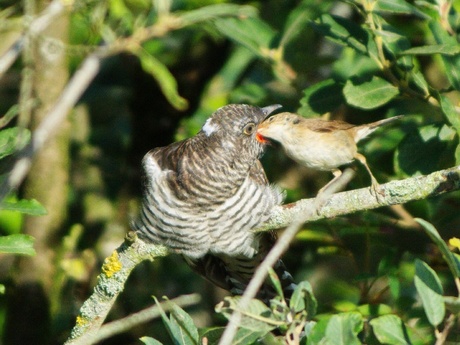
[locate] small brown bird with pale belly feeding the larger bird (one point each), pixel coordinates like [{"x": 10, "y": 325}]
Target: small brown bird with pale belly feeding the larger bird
[{"x": 320, "y": 144}]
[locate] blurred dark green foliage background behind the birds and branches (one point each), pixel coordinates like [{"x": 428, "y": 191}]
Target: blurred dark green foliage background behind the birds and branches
[{"x": 288, "y": 52}]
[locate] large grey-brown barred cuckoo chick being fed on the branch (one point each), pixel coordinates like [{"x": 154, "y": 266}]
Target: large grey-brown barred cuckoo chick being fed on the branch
[{"x": 204, "y": 195}]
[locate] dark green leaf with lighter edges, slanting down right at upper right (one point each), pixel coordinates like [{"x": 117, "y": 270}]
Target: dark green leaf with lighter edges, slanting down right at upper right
[{"x": 346, "y": 32}]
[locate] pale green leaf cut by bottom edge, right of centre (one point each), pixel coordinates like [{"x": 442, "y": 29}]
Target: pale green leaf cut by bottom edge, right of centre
[{"x": 389, "y": 329}]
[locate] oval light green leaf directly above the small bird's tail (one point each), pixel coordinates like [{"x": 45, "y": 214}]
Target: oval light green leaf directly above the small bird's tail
[{"x": 370, "y": 94}]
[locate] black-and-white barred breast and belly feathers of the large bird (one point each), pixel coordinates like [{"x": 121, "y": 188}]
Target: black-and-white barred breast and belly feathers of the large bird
[{"x": 194, "y": 229}]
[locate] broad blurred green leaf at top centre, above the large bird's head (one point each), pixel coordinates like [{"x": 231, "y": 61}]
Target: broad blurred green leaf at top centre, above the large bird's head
[{"x": 242, "y": 32}]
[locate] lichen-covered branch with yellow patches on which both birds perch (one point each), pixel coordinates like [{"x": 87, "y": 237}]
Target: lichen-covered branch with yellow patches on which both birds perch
[{"x": 119, "y": 265}]
